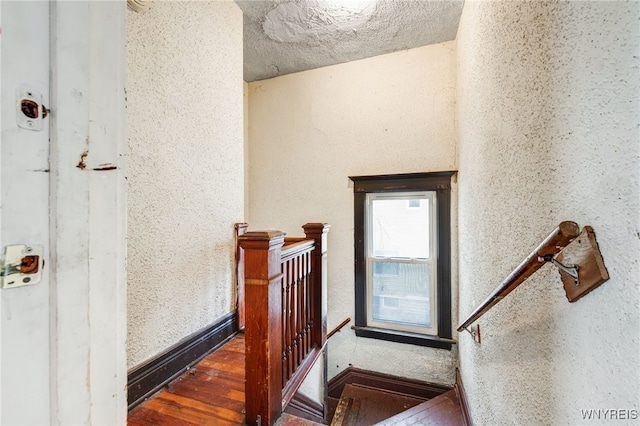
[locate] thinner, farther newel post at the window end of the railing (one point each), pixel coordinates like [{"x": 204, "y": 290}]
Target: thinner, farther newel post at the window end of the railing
[{"x": 318, "y": 232}]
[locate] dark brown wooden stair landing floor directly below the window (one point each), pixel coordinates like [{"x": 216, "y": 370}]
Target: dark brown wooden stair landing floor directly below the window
[{"x": 363, "y": 405}]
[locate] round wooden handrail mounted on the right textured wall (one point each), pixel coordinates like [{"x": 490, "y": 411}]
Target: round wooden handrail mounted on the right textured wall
[{"x": 552, "y": 245}]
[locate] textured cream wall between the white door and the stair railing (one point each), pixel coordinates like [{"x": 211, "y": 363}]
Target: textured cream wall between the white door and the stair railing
[{"x": 186, "y": 169}]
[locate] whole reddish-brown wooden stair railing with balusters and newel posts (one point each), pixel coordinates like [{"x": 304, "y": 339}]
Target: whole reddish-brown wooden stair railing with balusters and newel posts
[{"x": 285, "y": 301}]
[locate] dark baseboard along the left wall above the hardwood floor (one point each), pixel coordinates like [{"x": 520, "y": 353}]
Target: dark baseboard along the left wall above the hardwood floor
[{"x": 149, "y": 377}]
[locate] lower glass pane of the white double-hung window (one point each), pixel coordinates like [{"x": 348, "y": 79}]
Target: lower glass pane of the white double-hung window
[{"x": 401, "y": 293}]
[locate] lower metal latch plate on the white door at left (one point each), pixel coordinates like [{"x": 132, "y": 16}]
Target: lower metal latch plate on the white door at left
[{"x": 21, "y": 265}]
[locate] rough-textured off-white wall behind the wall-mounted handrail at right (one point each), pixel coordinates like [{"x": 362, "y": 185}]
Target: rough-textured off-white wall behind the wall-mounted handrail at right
[{"x": 548, "y": 103}]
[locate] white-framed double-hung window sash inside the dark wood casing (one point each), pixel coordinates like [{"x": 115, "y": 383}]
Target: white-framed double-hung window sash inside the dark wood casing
[{"x": 400, "y": 261}]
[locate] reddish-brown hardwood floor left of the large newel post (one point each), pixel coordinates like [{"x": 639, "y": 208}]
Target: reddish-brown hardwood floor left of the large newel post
[{"x": 211, "y": 393}]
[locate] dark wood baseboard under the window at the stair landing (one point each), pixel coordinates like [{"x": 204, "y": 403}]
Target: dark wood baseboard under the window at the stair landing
[{"x": 412, "y": 387}]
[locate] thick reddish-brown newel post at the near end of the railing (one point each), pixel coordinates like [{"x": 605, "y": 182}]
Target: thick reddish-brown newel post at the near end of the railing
[{"x": 263, "y": 332}]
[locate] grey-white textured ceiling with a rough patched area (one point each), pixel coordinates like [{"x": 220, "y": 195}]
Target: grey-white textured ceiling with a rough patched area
[{"x": 287, "y": 36}]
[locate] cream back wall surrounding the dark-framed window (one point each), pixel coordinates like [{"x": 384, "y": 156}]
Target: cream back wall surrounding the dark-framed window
[{"x": 309, "y": 131}]
